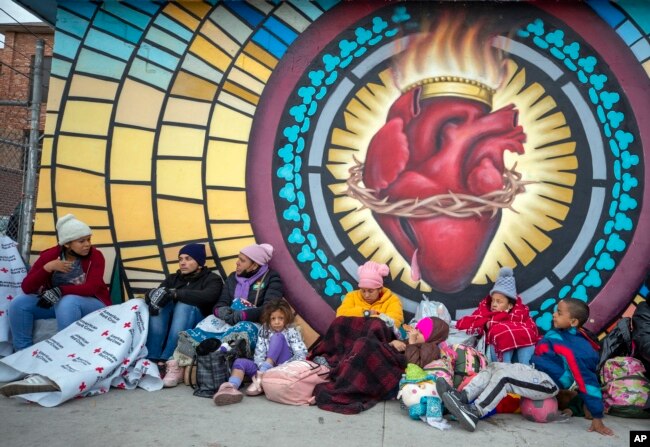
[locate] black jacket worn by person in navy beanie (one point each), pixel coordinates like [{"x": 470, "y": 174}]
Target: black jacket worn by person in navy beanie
[{"x": 201, "y": 289}]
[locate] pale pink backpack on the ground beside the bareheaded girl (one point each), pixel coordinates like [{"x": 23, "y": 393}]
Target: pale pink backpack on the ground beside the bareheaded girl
[{"x": 293, "y": 383}]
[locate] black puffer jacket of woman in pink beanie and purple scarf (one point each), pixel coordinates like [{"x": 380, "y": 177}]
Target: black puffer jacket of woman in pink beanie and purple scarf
[{"x": 269, "y": 288}]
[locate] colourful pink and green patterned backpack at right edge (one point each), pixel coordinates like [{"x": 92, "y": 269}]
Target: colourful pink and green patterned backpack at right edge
[{"x": 626, "y": 391}]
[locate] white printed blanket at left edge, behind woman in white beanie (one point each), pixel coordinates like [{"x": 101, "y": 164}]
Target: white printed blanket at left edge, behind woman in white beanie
[{"x": 12, "y": 272}]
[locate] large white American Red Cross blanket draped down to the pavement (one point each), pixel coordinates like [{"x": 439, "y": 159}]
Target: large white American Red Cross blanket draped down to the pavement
[{"x": 105, "y": 348}]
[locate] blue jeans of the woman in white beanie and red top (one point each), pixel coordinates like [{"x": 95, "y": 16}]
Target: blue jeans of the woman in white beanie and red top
[{"x": 23, "y": 311}]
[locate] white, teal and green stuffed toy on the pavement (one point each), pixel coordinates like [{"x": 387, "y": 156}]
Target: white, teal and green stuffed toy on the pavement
[{"x": 418, "y": 395}]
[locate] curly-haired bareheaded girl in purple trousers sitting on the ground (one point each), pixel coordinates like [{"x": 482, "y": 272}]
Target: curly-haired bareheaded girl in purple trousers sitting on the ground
[{"x": 277, "y": 343}]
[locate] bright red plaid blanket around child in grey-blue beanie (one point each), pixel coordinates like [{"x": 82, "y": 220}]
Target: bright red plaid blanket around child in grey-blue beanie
[{"x": 505, "y": 330}]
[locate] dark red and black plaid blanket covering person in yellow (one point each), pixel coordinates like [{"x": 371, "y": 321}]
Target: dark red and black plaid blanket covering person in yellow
[{"x": 365, "y": 368}]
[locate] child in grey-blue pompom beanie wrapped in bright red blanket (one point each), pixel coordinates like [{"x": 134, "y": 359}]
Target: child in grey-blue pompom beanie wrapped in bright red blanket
[{"x": 505, "y": 320}]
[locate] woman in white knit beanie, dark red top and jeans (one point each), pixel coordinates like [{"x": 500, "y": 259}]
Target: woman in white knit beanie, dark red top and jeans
[{"x": 66, "y": 282}]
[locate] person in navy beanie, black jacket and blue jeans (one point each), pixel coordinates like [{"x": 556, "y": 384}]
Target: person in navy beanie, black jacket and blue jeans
[{"x": 185, "y": 298}]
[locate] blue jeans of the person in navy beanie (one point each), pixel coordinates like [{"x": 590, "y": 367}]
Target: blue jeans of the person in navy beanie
[{"x": 163, "y": 335}]
